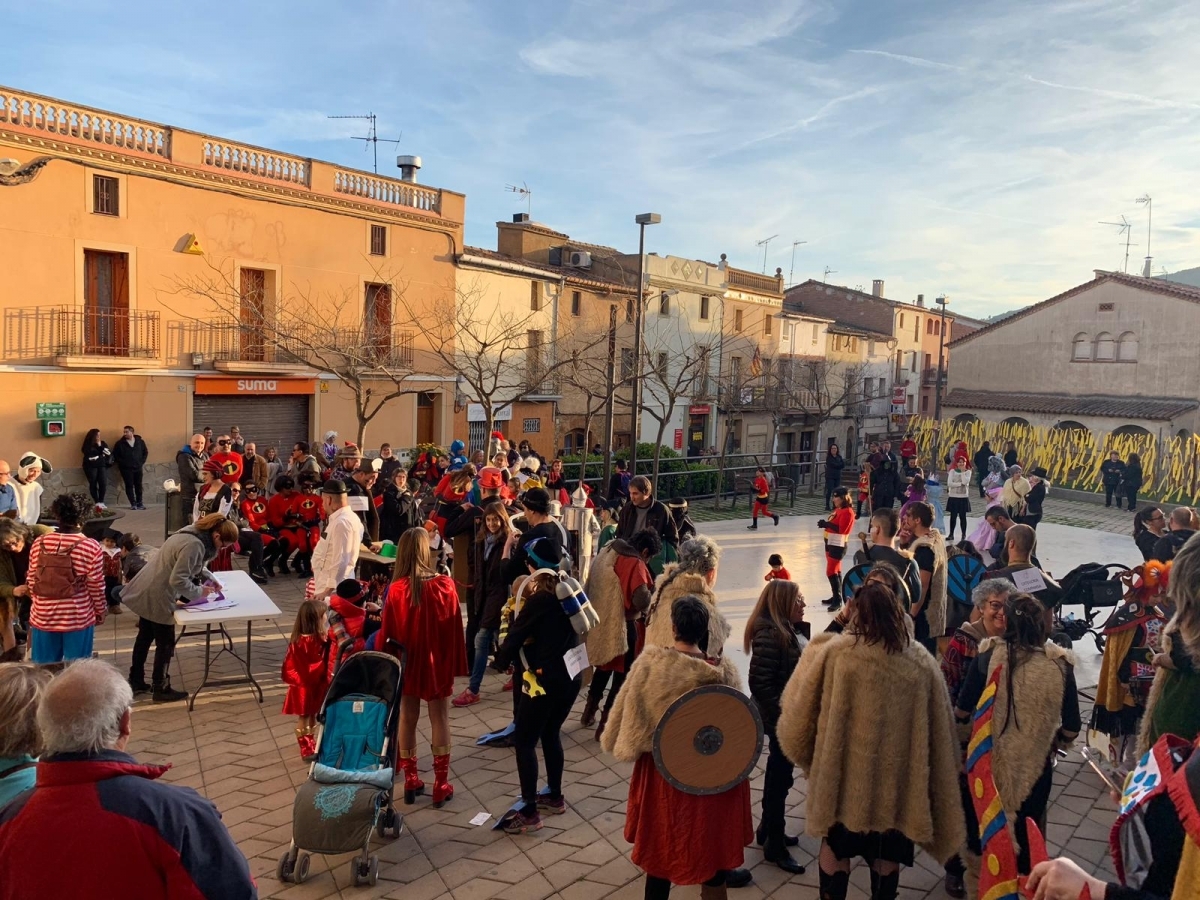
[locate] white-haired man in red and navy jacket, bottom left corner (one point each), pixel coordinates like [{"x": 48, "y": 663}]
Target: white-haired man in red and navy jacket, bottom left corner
[{"x": 143, "y": 838}]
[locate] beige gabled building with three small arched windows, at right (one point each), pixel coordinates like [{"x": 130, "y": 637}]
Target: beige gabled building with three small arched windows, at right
[{"x": 1115, "y": 355}]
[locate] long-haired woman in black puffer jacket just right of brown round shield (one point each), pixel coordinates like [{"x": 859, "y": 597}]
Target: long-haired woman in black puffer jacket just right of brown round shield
[{"x": 775, "y": 647}]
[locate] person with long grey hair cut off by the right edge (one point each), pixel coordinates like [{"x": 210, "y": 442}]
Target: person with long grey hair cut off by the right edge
[{"x": 1174, "y": 704}]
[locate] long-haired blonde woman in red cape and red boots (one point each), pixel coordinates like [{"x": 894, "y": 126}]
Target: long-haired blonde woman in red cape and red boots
[{"x": 421, "y": 616}]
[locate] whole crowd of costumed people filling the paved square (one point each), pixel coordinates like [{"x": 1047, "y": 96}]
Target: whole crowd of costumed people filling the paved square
[{"x": 883, "y": 713}]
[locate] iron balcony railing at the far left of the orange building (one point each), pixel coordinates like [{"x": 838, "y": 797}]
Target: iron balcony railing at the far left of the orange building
[{"x": 57, "y": 332}]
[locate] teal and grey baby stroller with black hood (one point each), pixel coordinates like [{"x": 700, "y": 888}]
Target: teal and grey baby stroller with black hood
[{"x": 350, "y": 789}]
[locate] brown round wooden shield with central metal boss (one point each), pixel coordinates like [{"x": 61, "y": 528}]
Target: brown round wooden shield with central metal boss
[{"x": 709, "y": 741}]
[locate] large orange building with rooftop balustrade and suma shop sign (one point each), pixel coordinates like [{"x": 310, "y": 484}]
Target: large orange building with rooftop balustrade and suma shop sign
[{"x": 160, "y": 278}]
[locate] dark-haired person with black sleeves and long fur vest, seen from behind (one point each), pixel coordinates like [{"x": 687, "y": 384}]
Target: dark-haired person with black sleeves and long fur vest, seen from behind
[{"x": 1036, "y": 713}]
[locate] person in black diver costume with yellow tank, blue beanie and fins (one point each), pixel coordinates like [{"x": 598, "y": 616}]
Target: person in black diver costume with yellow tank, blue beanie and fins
[{"x": 536, "y": 646}]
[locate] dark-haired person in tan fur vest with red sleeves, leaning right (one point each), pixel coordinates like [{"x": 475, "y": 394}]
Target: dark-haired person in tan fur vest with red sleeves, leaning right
[{"x": 620, "y": 587}]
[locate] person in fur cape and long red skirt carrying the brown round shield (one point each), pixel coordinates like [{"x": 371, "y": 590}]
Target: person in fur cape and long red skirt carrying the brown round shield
[{"x": 679, "y": 838}]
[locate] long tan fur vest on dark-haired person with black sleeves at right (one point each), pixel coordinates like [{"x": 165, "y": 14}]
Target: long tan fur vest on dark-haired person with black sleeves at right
[{"x": 1021, "y": 748}]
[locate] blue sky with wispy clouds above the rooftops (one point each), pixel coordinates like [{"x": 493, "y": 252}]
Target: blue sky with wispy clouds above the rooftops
[{"x": 947, "y": 148}]
